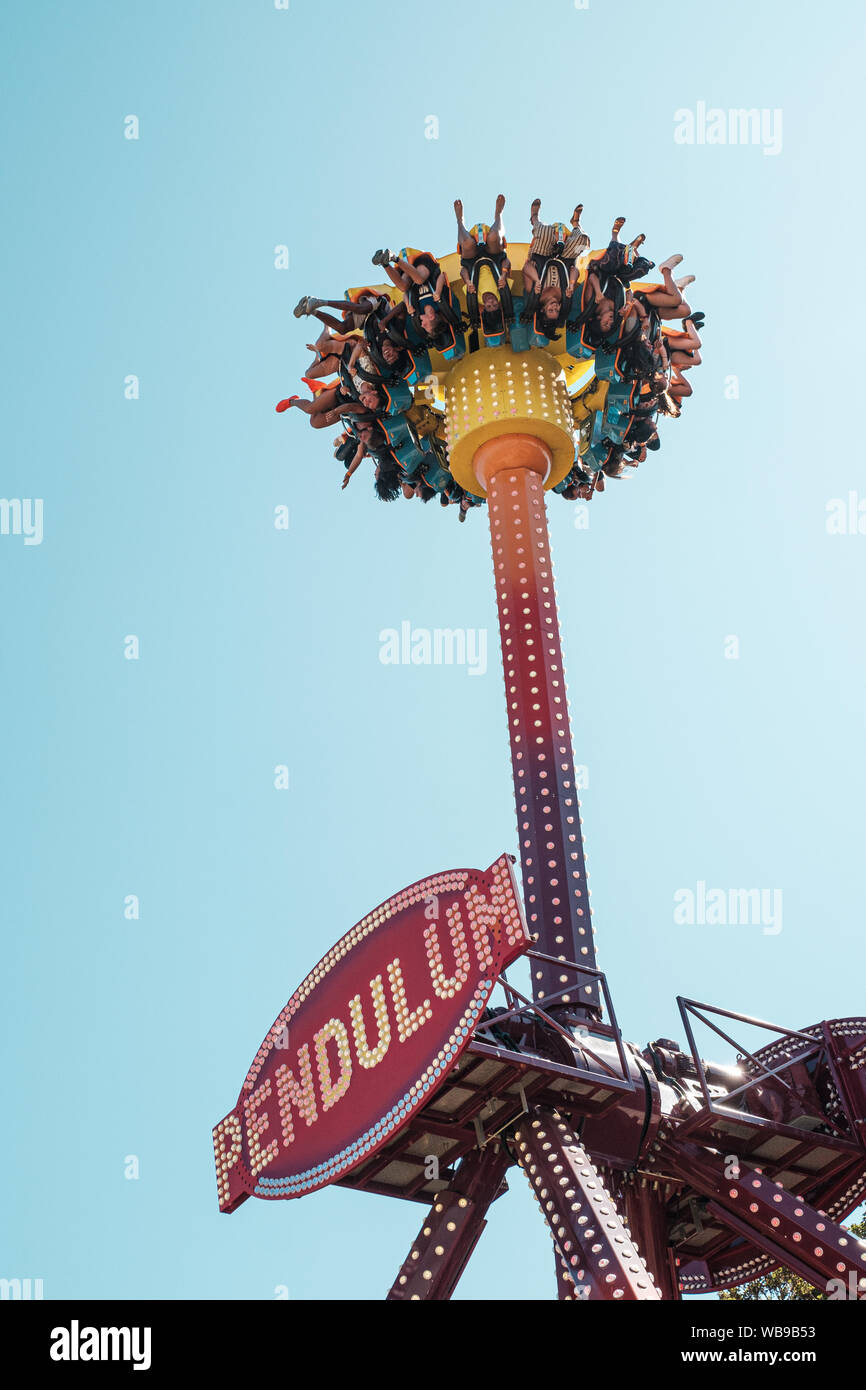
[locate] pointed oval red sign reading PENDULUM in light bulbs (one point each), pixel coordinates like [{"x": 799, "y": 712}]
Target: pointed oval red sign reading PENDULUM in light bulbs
[{"x": 370, "y": 1035}]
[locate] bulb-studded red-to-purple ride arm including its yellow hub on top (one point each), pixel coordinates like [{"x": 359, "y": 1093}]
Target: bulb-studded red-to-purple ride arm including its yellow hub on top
[{"x": 511, "y": 434}]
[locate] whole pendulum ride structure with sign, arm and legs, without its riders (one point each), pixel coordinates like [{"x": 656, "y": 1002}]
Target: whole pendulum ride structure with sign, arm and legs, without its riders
[{"x": 409, "y": 1065}]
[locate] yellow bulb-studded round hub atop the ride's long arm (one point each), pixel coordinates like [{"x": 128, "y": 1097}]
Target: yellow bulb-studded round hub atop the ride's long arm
[{"x": 496, "y": 393}]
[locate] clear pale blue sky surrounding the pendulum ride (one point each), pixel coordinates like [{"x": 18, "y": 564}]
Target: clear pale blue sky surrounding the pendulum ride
[{"x": 258, "y": 647}]
